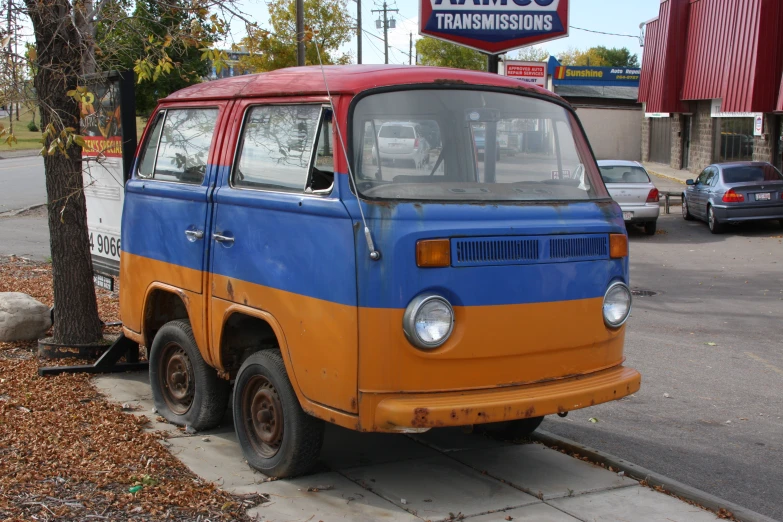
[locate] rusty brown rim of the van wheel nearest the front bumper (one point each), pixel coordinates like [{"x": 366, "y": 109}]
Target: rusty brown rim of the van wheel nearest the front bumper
[{"x": 263, "y": 414}]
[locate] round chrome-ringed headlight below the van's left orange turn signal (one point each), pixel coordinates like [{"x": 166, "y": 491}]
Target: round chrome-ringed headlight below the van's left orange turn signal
[{"x": 428, "y": 321}]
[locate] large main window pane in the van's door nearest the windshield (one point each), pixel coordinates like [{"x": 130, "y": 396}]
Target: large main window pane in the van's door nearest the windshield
[{"x": 276, "y": 147}]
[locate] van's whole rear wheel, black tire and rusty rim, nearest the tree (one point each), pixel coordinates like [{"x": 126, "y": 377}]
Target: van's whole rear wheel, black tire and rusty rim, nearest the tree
[{"x": 185, "y": 389}]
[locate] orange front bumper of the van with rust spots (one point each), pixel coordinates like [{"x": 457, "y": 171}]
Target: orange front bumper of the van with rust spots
[{"x": 394, "y": 413}]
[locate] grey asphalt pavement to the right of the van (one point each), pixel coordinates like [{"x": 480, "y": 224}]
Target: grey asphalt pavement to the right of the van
[{"x": 710, "y": 350}]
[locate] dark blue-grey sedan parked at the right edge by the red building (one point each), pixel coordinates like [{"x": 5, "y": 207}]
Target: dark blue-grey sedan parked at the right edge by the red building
[{"x": 734, "y": 192}]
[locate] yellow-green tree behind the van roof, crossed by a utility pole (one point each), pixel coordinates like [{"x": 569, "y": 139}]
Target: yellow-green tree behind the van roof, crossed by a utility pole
[{"x": 328, "y": 25}]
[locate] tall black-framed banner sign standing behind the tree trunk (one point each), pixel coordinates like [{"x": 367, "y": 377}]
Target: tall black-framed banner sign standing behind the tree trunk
[{"x": 108, "y": 124}]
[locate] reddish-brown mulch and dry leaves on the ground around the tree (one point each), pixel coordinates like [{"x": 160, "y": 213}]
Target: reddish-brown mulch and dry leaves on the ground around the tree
[{"x": 67, "y": 454}]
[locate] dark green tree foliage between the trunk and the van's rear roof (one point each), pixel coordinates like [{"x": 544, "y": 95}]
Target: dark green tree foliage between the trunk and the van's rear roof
[{"x": 144, "y": 42}]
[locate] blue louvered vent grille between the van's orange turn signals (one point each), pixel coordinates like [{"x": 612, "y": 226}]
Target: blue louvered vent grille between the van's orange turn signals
[{"x": 504, "y": 250}]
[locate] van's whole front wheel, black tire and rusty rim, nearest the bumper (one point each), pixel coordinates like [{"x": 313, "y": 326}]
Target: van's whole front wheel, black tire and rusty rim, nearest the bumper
[{"x": 276, "y": 436}]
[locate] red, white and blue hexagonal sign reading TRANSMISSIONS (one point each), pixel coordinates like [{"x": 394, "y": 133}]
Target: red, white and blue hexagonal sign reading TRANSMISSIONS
[{"x": 494, "y": 26}]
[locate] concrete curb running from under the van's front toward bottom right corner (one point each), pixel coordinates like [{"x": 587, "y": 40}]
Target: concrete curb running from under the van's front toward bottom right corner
[{"x": 653, "y": 479}]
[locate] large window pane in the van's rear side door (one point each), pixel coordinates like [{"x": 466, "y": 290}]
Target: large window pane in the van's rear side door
[{"x": 184, "y": 145}]
